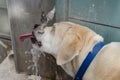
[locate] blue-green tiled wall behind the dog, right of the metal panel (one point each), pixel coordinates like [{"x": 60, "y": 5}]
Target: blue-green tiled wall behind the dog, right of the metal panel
[{"x": 100, "y": 15}]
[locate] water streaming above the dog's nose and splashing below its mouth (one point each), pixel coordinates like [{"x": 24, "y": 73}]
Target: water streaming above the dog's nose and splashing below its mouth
[{"x": 35, "y": 51}]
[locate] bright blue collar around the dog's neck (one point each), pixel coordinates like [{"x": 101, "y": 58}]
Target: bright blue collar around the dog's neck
[{"x": 88, "y": 60}]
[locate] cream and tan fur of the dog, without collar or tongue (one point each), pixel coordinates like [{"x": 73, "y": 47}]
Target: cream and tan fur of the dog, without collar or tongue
[{"x": 70, "y": 43}]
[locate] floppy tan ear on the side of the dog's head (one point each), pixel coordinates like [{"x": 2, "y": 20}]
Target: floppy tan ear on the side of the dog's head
[{"x": 68, "y": 49}]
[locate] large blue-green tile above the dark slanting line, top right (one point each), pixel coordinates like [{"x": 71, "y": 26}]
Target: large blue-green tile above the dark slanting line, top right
[{"x": 101, "y": 11}]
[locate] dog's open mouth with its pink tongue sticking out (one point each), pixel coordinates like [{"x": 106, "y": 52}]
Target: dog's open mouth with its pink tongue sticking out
[{"x": 32, "y": 38}]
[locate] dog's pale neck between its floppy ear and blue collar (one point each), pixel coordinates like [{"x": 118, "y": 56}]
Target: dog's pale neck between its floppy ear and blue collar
[{"x": 72, "y": 67}]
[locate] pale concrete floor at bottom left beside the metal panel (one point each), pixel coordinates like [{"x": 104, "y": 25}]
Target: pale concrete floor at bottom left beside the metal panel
[{"x": 8, "y": 72}]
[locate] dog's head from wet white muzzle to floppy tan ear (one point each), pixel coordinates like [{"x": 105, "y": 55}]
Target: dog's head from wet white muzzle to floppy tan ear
[{"x": 66, "y": 44}]
